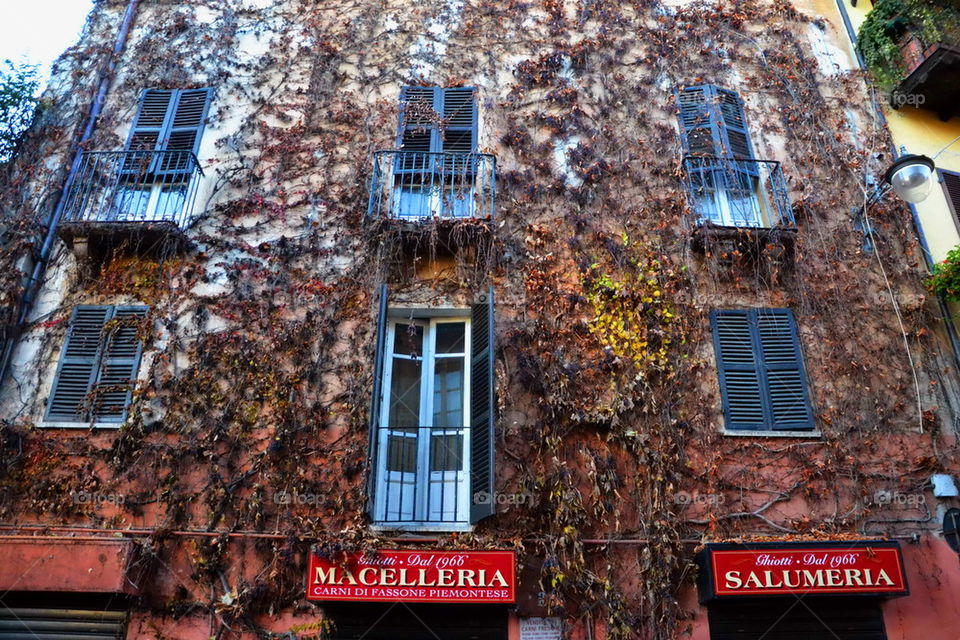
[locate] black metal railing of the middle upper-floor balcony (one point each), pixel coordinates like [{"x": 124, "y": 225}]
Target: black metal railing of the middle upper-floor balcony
[{"x": 415, "y": 185}]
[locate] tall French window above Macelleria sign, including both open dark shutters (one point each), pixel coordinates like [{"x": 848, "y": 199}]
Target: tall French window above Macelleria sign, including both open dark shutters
[{"x": 431, "y": 443}]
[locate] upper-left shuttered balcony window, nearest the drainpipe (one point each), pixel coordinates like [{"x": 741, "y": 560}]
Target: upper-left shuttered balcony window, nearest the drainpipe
[{"x": 160, "y": 156}]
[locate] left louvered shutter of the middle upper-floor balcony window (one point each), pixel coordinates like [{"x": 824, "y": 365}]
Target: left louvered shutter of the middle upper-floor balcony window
[{"x": 420, "y": 111}]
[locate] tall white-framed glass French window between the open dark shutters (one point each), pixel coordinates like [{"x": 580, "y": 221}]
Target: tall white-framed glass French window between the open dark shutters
[{"x": 423, "y": 459}]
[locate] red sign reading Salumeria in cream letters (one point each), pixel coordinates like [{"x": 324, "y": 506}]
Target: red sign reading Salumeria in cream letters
[{"x": 856, "y": 569}]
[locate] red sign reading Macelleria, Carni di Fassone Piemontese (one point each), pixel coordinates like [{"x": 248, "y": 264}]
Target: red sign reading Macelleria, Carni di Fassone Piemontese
[{"x": 415, "y": 576}]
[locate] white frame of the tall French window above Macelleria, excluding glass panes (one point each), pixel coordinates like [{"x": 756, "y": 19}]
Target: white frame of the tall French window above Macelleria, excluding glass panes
[{"x": 423, "y": 481}]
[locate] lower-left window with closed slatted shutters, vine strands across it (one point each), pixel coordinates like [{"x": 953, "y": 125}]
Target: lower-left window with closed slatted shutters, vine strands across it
[{"x": 98, "y": 365}]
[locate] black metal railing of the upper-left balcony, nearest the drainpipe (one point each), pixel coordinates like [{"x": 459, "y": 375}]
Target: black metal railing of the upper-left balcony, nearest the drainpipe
[{"x": 134, "y": 186}]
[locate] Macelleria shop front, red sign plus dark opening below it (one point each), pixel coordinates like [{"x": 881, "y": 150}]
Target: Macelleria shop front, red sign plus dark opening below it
[{"x": 409, "y": 595}]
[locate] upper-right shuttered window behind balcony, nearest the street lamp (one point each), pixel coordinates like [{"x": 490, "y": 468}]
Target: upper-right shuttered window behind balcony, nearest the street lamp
[{"x": 729, "y": 187}]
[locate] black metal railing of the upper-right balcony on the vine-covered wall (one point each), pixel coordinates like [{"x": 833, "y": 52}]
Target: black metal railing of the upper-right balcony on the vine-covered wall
[{"x": 732, "y": 192}]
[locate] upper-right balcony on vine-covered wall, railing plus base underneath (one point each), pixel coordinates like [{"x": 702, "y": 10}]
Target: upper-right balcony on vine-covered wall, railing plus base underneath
[{"x": 744, "y": 201}]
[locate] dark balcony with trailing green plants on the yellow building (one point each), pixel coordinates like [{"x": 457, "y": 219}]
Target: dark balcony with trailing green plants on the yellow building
[{"x": 912, "y": 49}]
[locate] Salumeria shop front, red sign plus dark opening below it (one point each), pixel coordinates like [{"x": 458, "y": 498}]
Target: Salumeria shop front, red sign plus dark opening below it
[{"x": 785, "y": 591}]
